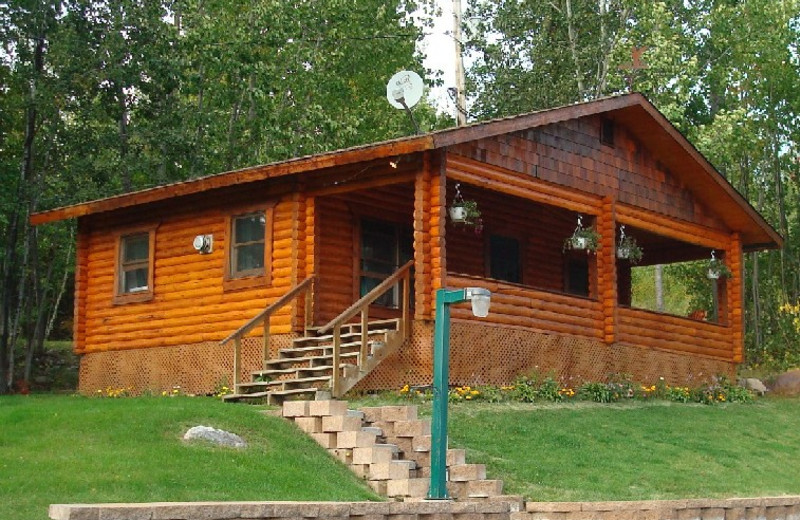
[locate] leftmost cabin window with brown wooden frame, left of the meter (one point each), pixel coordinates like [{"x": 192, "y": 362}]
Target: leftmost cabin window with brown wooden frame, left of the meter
[{"x": 134, "y": 273}]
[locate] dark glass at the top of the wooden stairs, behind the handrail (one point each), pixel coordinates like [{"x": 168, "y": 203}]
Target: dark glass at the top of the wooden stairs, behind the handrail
[{"x": 385, "y": 247}]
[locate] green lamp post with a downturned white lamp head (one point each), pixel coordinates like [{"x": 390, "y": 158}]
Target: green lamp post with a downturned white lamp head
[{"x": 481, "y": 299}]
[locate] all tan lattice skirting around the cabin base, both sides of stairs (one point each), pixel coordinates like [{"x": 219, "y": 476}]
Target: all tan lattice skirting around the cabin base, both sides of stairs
[{"x": 479, "y": 354}]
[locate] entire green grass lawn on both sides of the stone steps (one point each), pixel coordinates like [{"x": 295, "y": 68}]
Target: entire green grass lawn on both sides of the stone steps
[{"x": 67, "y": 449}]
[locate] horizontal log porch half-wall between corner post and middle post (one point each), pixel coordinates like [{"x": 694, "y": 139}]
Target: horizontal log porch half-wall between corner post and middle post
[{"x": 543, "y": 311}]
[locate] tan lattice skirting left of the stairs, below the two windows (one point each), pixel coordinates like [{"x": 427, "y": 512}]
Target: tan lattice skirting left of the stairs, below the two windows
[{"x": 200, "y": 368}]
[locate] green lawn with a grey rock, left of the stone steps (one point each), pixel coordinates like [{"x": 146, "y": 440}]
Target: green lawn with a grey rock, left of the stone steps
[{"x": 67, "y": 449}]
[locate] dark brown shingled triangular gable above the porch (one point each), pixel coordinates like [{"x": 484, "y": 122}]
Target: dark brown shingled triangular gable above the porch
[{"x": 570, "y": 154}]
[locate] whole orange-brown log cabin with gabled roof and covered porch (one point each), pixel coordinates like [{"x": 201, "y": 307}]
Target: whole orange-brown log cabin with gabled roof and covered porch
[{"x": 322, "y": 271}]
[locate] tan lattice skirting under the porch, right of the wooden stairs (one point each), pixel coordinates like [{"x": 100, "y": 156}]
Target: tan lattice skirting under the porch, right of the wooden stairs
[{"x": 488, "y": 354}]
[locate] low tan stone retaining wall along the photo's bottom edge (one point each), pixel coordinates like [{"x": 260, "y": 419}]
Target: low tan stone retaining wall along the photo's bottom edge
[{"x": 778, "y": 508}]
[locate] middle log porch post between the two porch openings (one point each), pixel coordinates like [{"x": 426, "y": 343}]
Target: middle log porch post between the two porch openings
[{"x": 606, "y": 269}]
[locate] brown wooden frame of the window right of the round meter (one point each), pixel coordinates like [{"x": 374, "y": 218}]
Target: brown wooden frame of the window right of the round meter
[{"x": 252, "y": 278}]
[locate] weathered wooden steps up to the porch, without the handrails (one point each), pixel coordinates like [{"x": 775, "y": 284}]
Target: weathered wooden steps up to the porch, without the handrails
[{"x": 307, "y": 367}]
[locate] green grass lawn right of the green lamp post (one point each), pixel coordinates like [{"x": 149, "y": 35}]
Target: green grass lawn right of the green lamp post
[{"x": 636, "y": 450}]
